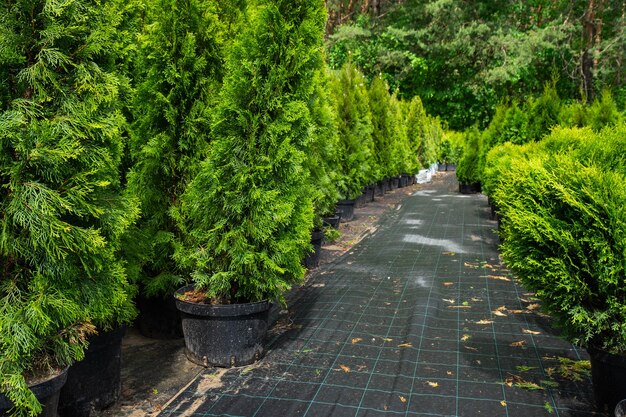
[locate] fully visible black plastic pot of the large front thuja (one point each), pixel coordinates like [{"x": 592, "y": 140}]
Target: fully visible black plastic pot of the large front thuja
[{"x": 224, "y": 335}]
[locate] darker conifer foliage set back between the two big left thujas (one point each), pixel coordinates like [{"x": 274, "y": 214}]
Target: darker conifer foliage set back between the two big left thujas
[{"x": 179, "y": 66}]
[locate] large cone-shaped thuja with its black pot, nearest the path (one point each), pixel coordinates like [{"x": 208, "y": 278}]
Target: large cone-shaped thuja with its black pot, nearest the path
[{"x": 247, "y": 215}]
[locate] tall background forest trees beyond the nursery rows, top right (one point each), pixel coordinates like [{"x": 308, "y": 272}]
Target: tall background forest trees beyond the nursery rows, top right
[{"x": 464, "y": 57}]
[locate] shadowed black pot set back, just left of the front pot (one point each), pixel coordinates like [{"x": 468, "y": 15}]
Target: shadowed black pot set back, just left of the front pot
[{"x": 158, "y": 318}]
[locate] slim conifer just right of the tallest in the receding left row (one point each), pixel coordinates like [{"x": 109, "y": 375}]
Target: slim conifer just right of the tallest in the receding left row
[{"x": 382, "y": 129}]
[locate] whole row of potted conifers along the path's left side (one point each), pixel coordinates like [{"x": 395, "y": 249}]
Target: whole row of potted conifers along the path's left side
[{"x": 171, "y": 147}]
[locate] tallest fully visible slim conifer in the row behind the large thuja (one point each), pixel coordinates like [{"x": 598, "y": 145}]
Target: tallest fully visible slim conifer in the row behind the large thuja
[{"x": 356, "y": 145}]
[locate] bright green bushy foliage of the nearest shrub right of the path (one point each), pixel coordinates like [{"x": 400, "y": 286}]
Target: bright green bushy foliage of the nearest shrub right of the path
[{"x": 564, "y": 226}]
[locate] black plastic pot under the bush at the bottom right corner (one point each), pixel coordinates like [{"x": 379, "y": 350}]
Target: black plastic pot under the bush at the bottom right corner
[{"x": 608, "y": 375}]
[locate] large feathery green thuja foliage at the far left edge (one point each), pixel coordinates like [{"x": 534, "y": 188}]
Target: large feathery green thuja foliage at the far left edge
[{"x": 61, "y": 210}]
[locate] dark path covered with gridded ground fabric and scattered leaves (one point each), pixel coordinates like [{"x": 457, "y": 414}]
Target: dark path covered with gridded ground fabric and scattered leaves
[{"x": 418, "y": 319}]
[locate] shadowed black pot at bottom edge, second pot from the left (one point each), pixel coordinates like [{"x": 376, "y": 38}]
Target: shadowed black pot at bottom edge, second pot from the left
[{"x": 94, "y": 383}]
